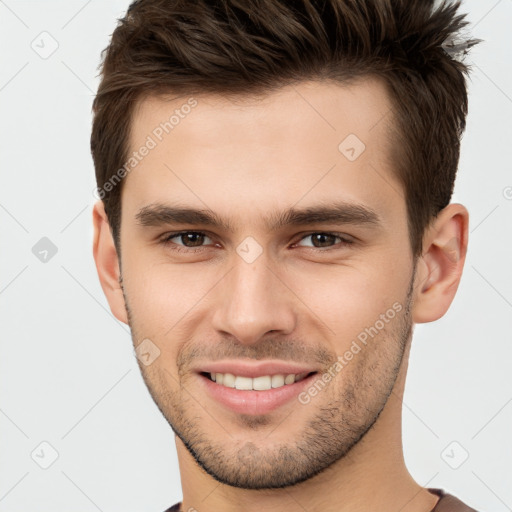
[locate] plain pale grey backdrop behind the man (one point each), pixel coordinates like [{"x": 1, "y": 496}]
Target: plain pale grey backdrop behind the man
[{"x": 67, "y": 370}]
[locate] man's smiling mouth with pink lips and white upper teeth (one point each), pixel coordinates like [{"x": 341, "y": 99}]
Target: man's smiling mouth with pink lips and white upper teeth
[{"x": 254, "y": 390}]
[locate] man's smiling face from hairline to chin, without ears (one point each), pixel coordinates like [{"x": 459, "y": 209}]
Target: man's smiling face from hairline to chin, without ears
[{"x": 264, "y": 244}]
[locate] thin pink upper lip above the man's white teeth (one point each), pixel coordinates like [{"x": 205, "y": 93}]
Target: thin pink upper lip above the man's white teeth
[{"x": 252, "y": 369}]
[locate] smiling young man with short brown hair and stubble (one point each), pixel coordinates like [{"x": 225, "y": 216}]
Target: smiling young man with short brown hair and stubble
[{"x": 275, "y": 183}]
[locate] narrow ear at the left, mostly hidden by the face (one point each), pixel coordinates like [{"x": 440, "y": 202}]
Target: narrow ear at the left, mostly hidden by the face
[{"x": 107, "y": 262}]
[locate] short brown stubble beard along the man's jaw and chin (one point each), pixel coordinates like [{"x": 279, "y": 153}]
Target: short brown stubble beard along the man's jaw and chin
[{"x": 357, "y": 394}]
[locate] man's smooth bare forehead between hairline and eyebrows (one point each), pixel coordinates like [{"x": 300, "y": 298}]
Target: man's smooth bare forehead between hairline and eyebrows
[{"x": 306, "y": 142}]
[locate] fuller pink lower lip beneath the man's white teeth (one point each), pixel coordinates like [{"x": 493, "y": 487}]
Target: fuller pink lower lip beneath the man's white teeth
[{"x": 251, "y": 401}]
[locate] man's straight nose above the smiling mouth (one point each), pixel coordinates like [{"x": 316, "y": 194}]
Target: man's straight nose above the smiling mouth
[{"x": 254, "y": 300}]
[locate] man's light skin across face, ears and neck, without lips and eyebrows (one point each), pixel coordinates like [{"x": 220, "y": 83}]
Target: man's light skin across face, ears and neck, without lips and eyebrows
[{"x": 245, "y": 159}]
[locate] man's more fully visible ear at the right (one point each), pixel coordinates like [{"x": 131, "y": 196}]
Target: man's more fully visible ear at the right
[{"x": 440, "y": 267}]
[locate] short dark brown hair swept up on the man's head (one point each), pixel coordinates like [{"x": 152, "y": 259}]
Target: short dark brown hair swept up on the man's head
[{"x": 255, "y": 46}]
